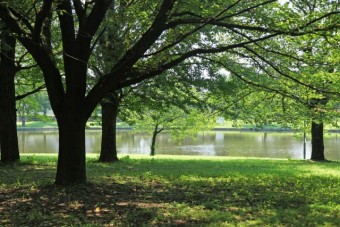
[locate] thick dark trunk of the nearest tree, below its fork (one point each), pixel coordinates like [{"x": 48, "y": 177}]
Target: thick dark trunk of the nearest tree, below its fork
[{"x": 71, "y": 160}]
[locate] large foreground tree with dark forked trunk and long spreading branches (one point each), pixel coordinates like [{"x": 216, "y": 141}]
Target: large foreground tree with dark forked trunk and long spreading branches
[{"x": 164, "y": 33}]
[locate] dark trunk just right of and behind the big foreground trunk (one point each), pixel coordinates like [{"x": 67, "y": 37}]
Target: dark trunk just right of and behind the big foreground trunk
[{"x": 108, "y": 151}]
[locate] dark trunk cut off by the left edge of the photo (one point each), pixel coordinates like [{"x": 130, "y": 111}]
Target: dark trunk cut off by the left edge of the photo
[{"x": 8, "y": 129}]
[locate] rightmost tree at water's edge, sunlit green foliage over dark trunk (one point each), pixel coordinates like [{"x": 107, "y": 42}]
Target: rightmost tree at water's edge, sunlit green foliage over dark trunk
[{"x": 306, "y": 77}]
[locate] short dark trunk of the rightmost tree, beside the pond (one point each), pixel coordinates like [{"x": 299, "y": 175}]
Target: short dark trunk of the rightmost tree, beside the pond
[{"x": 317, "y": 142}]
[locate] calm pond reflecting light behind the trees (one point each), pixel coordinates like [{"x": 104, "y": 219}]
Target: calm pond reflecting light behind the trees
[{"x": 213, "y": 143}]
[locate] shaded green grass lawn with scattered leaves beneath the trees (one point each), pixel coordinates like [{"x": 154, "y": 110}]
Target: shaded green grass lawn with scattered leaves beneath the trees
[{"x": 173, "y": 190}]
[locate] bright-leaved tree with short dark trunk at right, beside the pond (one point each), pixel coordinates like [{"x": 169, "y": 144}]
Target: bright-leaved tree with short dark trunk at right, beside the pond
[{"x": 296, "y": 68}]
